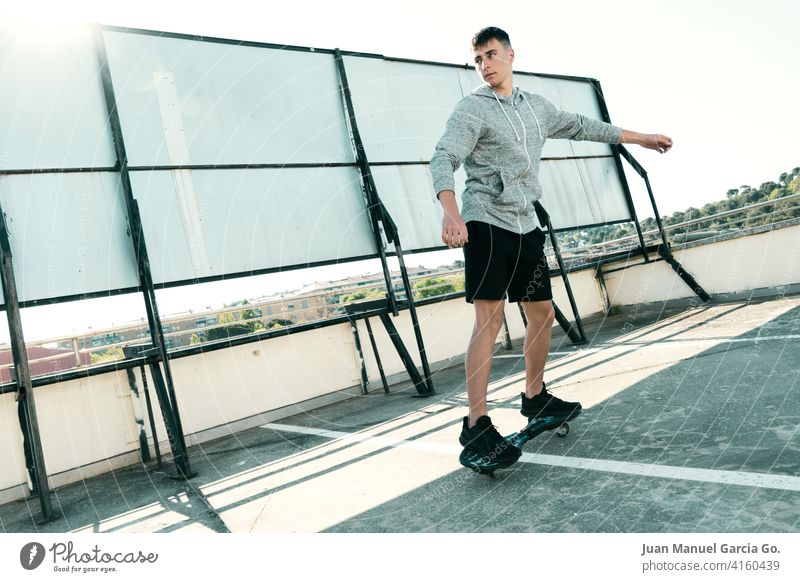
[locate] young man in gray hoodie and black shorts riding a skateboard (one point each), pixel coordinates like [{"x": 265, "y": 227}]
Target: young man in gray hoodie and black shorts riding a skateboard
[{"x": 498, "y": 132}]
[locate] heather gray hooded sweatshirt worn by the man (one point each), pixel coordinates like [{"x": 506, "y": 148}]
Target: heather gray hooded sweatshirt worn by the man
[{"x": 499, "y": 140}]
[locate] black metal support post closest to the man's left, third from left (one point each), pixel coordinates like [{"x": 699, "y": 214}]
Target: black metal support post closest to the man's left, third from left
[{"x": 382, "y": 221}]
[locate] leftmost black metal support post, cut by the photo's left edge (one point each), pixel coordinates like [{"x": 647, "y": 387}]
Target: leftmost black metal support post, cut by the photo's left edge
[{"x": 26, "y": 404}]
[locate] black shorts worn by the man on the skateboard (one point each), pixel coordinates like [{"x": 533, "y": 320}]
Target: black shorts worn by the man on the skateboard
[{"x": 500, "y": 263}]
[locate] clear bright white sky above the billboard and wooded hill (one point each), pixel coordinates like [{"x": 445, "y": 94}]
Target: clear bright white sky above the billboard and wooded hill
[{"x": 720, "y": 78}]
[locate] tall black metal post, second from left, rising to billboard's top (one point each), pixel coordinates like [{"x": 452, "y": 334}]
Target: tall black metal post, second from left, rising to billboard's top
[{"x": 165, "y": 389}]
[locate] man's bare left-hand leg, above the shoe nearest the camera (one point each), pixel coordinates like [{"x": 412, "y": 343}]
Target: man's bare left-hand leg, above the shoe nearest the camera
[{"x": 488, "y": 320}]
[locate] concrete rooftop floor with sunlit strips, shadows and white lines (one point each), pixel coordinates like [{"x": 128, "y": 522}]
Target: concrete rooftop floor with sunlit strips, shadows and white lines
[{"x": 690, "y": 424}]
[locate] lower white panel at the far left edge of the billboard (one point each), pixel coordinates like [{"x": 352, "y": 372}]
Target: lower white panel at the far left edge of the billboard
[{"x": 68, "y": 234}]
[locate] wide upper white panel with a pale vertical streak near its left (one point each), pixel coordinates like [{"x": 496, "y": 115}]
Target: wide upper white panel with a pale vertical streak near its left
[{"x": 238, "y": 104}]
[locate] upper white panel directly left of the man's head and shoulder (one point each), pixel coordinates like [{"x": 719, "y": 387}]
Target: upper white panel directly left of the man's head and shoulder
[{"x": 401, "y": 108}]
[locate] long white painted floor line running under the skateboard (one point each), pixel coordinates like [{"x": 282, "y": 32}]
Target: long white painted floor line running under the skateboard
[{"x": 762, "y": 480}]
